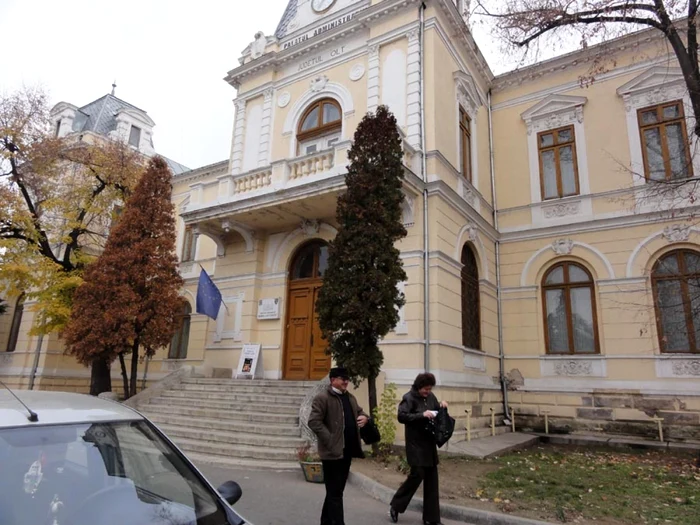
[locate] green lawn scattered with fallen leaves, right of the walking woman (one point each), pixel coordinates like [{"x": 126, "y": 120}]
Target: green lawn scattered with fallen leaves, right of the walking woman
[{"x": 602, "y": 485}]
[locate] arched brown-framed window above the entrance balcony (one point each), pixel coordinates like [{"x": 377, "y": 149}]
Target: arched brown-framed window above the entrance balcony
[{"x": 319, "y": 126}]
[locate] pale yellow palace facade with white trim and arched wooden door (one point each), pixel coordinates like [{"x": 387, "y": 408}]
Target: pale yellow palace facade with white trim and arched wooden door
[{"x": 546, "y": 273}]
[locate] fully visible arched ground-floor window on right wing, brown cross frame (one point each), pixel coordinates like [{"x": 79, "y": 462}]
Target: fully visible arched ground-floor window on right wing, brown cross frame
[{"x": 569, "y": 310}]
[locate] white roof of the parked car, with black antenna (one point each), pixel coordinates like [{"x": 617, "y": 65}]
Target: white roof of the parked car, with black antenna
[{"x": 56, "y": 408}]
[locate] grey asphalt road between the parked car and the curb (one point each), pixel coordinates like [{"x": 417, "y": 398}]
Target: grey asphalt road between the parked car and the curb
[{"x": 285, "y": 498}]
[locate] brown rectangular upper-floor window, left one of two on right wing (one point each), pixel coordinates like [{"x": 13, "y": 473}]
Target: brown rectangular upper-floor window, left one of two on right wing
[{"x": 558, "y": 165}]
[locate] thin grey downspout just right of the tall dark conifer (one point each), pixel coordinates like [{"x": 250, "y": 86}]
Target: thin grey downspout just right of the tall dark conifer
[{"x": 424, "y": 173}]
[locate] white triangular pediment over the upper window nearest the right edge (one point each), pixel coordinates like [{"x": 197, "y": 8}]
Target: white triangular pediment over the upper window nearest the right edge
[{"x": 654, "y": 86}]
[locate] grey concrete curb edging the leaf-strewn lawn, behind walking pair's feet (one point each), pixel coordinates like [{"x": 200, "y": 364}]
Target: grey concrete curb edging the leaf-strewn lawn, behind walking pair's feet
[{"x": 453, "y": 512}]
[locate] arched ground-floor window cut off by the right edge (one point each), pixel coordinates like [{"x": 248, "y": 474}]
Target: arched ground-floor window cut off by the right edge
[{"x": 676, "y": 284}]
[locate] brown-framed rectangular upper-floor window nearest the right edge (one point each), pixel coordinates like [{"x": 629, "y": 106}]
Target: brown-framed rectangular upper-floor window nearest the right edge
[{"x": 664, "y": 142}]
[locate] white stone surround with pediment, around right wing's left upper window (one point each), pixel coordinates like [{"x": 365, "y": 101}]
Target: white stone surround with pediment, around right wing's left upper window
[{"x": 551, "y": 113}]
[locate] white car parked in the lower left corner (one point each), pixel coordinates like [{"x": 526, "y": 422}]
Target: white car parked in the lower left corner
[{"x": 72, "y": 459}]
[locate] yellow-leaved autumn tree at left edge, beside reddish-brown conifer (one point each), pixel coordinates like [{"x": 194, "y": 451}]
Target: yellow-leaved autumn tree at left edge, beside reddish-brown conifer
[{"x": 58, "y": 197}]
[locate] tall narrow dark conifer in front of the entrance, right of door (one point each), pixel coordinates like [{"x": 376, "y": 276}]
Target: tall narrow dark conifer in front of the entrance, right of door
[{"x": 359, "y": 301}]
